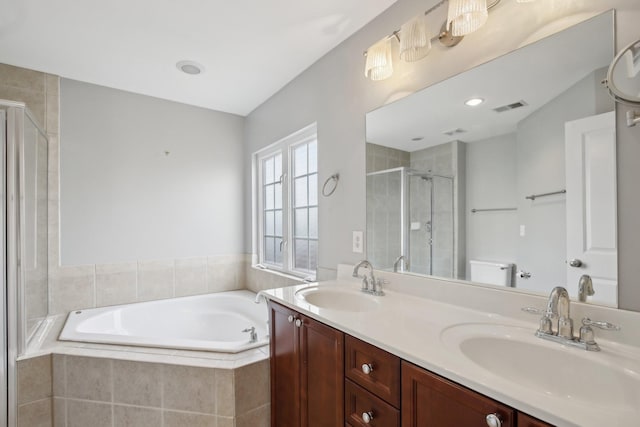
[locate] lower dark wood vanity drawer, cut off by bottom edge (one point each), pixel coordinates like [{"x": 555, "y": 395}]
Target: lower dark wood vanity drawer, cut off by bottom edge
[{"x": 358, "y": 401}]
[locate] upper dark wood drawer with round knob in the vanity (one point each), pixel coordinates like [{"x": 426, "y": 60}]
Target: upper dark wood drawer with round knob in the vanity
[{"x": 384, "y": 378}]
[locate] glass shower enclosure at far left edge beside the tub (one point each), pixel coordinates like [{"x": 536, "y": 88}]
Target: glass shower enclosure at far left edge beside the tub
[{"x": 24, "y": 242}]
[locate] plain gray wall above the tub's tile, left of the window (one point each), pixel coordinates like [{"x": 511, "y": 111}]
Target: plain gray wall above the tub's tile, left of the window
[{"x": 124, "y": 199}]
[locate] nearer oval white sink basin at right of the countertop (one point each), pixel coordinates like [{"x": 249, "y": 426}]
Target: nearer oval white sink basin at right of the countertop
[{"x": 515, "y": 354}]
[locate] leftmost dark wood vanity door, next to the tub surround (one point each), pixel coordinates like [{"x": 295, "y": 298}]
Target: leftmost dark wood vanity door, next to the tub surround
[{"x": 285, "y": 363}]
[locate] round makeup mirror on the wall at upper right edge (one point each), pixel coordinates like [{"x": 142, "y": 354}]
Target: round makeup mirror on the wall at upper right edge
[{"x": 623, "y": 77}]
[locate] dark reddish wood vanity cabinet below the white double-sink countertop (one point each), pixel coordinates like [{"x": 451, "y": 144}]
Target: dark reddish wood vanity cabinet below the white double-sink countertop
[{"x": 321, "y": 377}]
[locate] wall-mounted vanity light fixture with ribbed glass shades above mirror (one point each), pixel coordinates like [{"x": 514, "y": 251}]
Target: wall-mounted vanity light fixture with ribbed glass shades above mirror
[{"x": 464, "y": 17}]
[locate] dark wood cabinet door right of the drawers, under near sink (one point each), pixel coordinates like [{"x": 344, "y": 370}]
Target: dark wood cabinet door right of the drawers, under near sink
[{"x": 431, "y": 401}]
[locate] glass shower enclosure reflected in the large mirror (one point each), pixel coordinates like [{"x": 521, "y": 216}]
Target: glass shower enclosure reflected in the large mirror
[{"x": 410, "y": 214}]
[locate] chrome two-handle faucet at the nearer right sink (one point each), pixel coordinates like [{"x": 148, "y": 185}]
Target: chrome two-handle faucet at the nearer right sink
[{"x": 558, "y": 312}]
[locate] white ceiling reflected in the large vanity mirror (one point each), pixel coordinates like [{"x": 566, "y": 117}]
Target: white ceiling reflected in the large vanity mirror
[{"x": 535, "y": 74}]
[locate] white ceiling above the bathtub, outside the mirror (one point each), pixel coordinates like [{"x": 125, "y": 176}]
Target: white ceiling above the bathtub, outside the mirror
[{"x": 249, "y": 48}]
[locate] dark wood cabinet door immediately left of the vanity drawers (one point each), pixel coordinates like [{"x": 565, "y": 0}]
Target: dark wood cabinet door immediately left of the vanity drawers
[{"x": 322, "y": 374}]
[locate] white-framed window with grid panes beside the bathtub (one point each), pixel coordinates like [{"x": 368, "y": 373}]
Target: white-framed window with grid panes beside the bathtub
[{"x": 287, "y": 204}]
